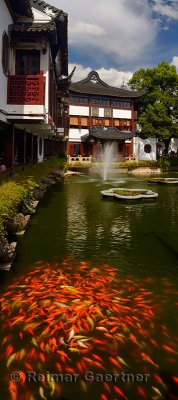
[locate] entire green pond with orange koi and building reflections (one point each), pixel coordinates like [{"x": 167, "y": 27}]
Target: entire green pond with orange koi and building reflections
[{"x": 92, "y": 297}]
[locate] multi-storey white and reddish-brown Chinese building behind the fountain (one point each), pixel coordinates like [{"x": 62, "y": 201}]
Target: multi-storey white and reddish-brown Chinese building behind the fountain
[{"x": 98, "y": 114}]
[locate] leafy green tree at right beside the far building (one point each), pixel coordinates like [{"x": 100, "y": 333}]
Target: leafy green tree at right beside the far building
[{"x": 158, "y": 112}]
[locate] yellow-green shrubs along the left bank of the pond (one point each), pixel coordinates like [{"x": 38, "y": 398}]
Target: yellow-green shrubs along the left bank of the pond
[{"x": 17, "y": 195}]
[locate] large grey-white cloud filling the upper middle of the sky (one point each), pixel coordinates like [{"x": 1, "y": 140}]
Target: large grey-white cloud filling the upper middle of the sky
[{"x": 119, "y": 31}]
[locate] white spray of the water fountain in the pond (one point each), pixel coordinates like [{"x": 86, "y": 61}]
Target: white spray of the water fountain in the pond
[{"x": 106, "y": 156}]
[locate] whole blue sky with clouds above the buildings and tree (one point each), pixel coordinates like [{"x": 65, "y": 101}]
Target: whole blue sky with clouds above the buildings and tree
[{"x": 118, "y": 37}]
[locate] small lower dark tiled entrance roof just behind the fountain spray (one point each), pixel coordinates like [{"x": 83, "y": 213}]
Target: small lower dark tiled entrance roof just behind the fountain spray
[{"x": 109, "y": 133}]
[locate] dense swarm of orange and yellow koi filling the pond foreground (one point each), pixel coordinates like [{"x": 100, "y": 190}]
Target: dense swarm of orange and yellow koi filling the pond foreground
[{"x": 84, "y": 325}]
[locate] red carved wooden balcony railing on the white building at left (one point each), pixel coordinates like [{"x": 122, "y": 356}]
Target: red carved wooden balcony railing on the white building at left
[{"x": 26, "y": 89}]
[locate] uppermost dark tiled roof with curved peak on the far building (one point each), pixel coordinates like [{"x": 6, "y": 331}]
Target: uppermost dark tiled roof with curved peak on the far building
[{"x": 95, "y": 86}]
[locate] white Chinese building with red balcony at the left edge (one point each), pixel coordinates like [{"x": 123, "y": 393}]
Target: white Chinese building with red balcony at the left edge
[{"x": 34, "y": 54}]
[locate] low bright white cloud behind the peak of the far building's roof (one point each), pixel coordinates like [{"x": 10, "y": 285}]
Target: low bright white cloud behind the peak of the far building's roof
[{"x": 111, "y": 76}]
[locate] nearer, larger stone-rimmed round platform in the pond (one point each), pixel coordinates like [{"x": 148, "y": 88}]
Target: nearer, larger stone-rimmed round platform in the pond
[{"x": 124, "y": 194}]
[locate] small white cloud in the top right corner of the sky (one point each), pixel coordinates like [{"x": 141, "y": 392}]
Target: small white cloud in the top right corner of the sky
[{"x": 167, "y": 10}]
